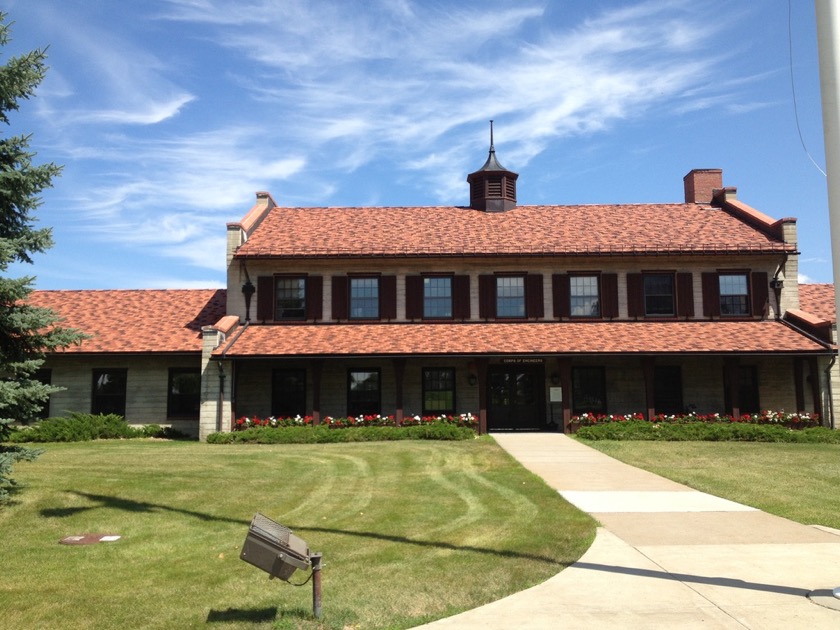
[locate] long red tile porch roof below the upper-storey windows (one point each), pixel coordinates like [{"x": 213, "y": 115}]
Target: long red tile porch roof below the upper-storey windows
[{"x": 519, "y": 338}]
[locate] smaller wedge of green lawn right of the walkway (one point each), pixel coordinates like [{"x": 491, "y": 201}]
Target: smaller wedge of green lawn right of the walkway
[{"x": 797, "y": 481}]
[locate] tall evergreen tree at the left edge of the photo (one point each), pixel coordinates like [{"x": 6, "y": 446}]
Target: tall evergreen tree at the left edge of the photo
[{"x": 26, "y": 332}]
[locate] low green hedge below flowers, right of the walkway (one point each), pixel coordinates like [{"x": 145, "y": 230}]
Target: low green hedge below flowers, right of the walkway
[{"x": 708, "y": 432}]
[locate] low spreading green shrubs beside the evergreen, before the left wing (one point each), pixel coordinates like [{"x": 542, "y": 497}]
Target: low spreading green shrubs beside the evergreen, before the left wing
[{"x": 82, "y": 427}]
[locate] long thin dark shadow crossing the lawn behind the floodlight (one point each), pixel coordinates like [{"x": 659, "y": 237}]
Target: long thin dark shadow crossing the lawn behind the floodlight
[{"x": 128, "y": 505}]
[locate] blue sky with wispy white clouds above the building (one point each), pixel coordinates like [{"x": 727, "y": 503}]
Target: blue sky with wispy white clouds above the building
[{"x": 168, "y": 115}]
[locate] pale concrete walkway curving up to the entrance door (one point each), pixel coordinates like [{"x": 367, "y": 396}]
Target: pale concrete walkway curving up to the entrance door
[{"x": 666, "y": 556}]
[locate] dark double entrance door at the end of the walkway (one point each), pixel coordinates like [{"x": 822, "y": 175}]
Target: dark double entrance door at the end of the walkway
[{"x": 516, "y": 398}]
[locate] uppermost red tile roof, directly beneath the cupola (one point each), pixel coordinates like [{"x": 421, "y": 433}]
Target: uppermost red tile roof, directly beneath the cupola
[{"x": 525, "y": 230}]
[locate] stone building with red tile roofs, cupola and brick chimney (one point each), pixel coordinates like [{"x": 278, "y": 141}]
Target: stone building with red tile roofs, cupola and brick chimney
[{"x": 521, "y": 315}]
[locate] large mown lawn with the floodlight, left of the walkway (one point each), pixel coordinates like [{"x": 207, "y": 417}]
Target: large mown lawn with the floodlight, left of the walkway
[{"x": 410, "y": 532}]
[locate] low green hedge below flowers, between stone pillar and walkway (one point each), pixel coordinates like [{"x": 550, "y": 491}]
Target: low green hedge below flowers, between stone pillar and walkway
[{"x": 323, "y": 434}]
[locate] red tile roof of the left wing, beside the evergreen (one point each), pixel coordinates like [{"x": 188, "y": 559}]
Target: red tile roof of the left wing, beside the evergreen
[{"x": 139, "y": 321}]
